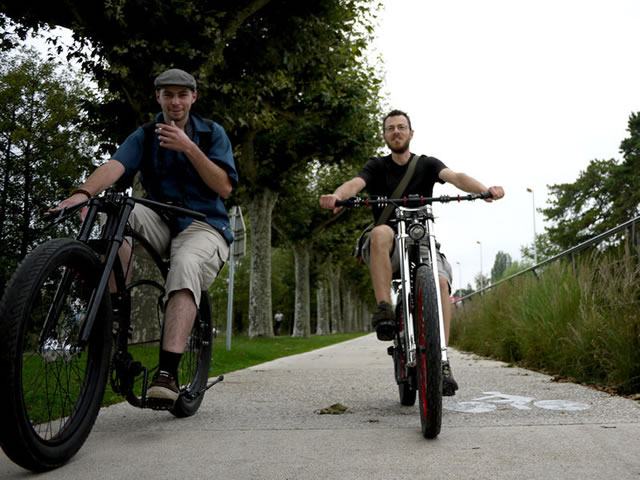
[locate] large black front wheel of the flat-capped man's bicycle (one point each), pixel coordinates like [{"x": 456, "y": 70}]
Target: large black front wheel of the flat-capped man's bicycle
[{"x": 52, "y": 385}]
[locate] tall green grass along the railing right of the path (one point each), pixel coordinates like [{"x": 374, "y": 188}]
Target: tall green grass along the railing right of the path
[{"x": 580, "y": 321}]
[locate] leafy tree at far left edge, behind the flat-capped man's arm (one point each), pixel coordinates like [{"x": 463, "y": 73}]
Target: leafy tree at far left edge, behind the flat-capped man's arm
[{"x": 45, "y": 148}]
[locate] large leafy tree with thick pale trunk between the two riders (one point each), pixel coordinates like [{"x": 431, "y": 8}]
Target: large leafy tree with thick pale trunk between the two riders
[{"x": 298, "y": 106}]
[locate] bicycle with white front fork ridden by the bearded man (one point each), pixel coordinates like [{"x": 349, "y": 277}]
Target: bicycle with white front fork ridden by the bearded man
[{"x": 419, "y": 350}]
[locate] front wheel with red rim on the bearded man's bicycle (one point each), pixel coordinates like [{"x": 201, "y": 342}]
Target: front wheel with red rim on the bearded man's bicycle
[{"x": 428, "y": 353}]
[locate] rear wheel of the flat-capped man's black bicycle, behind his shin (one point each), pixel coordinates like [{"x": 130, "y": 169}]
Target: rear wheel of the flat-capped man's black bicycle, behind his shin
[{"x": 196, "y": 362}]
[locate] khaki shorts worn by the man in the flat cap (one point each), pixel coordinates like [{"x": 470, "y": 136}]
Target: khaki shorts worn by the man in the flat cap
[{"x": 196, "y": 254}]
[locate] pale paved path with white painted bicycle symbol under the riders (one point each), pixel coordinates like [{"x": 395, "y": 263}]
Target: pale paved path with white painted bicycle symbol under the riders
[{"x": 261, "y": 423}]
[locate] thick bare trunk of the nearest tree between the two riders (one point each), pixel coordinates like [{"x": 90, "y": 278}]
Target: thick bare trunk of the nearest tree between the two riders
[{"x": 260, "y": 208}]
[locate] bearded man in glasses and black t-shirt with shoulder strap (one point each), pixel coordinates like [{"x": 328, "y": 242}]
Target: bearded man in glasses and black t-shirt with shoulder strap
[{"x": 380, "y": 176}]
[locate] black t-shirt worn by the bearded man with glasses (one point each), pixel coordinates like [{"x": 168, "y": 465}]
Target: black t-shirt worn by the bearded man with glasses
[{"x": 382, "y": 175}]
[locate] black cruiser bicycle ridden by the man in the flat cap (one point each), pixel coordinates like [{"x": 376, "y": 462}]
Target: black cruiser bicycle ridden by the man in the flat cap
[{"x": 59, "y": 324}]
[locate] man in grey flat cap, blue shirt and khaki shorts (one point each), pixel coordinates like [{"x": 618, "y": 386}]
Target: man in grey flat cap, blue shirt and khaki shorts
[{"x": 186, "y": 160}]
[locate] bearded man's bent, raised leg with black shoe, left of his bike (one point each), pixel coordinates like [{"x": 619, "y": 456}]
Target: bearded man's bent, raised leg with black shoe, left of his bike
[{"x": 381, "y": 245}]
